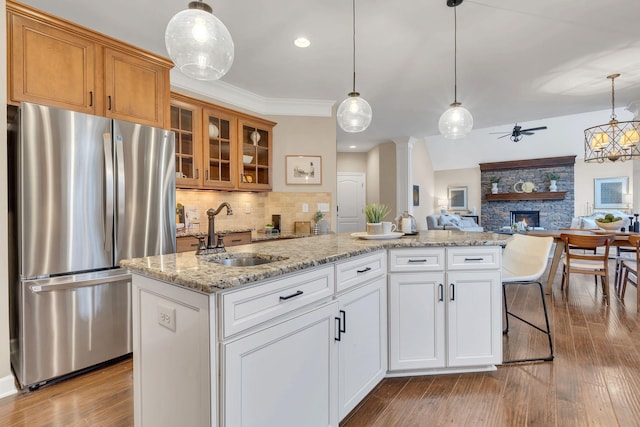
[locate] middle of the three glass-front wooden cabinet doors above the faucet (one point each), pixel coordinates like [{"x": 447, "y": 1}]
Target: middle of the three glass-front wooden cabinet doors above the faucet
[{"x": 219, "y": 153}]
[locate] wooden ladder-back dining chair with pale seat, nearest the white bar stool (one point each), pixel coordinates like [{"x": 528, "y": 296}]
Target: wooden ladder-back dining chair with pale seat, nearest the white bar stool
[{"x": 596, "y": 264}]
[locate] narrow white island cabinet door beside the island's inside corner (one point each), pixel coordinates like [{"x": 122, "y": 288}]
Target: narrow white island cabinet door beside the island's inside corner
[{"x": 362, "y": 342}]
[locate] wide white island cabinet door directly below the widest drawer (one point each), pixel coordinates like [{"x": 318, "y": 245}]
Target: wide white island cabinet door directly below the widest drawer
[{"x": 284, "y": 375}]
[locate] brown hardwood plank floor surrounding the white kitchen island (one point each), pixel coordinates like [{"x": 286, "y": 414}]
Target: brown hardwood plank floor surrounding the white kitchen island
[{"x": 594, "y": 379}]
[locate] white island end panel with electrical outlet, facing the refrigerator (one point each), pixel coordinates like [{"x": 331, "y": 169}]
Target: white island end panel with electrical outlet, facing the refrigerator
[{"x": 172, "y": 356}]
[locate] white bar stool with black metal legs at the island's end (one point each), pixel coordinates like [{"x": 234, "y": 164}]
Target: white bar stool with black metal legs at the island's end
[{"x": 524, "y": 260}]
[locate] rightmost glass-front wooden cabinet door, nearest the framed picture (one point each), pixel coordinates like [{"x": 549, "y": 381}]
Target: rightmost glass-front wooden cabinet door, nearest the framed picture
[{"x": 255, "y": 150}]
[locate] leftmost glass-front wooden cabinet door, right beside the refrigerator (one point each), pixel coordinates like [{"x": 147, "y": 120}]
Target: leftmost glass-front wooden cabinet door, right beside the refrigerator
[{"x": 186, "y": 124}]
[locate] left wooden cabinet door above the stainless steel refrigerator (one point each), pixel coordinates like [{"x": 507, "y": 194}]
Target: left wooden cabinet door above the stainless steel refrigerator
[{"x": 50, "y": 66}]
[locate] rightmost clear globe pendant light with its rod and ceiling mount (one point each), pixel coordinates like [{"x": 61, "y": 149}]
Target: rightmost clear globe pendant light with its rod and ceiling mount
[{"x": 456, "y": 122}]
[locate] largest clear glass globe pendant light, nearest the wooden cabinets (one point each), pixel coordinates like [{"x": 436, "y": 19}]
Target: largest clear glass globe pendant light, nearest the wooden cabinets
[{"x": 198, "y": 43}]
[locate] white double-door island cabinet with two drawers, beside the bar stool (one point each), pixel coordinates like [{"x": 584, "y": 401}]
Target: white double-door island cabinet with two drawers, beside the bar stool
[{"x": 445, "y": 320}]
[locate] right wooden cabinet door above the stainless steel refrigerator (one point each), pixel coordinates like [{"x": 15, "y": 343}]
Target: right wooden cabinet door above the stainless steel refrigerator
[{"x": 135, "y": 89}]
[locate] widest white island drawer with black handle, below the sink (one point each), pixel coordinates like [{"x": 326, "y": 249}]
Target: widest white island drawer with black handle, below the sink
[{"x": 249, "y": 307}]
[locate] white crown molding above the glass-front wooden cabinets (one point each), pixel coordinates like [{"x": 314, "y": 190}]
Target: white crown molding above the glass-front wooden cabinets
[{"x": 242, "y": 98}]
